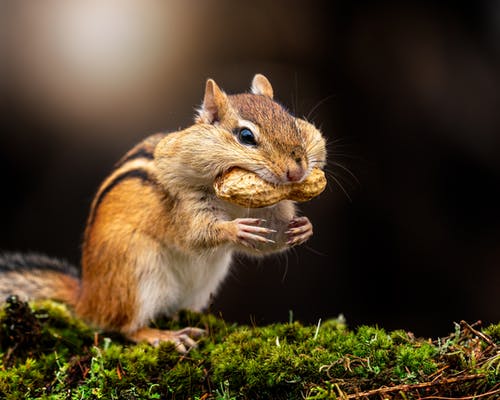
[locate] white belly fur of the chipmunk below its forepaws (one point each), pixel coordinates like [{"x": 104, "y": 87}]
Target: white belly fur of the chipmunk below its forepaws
[{"x": 170, "y": 281}]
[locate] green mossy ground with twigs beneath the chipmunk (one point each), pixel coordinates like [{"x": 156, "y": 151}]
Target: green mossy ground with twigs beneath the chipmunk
[{"x": 46, "y": 353}]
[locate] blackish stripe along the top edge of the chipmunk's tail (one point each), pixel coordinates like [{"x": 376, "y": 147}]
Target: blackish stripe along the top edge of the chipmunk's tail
[{"x": 16, "y": 262}]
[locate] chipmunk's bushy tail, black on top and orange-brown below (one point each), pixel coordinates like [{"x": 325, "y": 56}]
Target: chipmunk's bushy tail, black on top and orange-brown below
[{"x": 35, "y": 276}]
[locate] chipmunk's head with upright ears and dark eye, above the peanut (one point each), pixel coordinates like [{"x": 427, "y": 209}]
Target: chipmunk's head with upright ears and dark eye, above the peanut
[{"x": 260, "y": 135}]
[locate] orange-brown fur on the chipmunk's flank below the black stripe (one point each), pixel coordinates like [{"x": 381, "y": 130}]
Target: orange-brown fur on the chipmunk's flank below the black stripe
[{"x": 108, "y": 295}]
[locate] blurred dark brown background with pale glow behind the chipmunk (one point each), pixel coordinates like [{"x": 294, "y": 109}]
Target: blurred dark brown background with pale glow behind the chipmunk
[{"x": 407, "y": 93}]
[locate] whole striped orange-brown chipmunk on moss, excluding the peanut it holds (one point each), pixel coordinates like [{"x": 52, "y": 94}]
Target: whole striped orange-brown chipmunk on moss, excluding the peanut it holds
[{"x": 157, "y": 239}]
